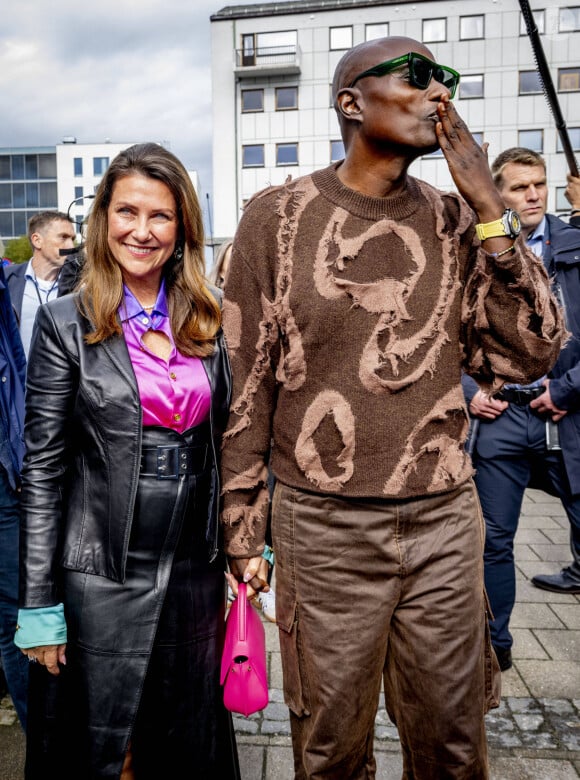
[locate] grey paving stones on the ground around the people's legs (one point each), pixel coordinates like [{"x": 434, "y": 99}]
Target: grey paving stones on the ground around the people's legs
[{"x": 534, "y": 735}]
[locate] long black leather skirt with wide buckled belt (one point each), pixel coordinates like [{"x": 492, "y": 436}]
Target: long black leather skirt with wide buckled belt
[{"x": 143, "y": 657}]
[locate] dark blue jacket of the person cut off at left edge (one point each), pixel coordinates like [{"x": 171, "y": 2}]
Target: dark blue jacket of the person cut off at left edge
[{"x": 12, "y": 380}]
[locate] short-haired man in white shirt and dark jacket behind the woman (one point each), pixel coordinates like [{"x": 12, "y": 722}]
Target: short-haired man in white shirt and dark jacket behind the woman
[{"x": 37, "y": 281}]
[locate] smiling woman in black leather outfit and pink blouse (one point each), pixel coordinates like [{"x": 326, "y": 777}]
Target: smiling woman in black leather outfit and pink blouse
[{"x": 123, "y": 588}]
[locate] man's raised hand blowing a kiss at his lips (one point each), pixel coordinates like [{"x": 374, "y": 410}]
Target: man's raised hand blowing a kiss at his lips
[{"x": 467, "y": 163}]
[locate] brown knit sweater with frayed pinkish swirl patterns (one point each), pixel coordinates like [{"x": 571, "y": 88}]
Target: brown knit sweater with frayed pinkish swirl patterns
[{"x": 349, "y": 320}]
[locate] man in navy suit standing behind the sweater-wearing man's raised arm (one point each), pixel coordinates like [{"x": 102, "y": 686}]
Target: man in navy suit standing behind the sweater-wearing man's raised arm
[{"x": 531, "y": 435}]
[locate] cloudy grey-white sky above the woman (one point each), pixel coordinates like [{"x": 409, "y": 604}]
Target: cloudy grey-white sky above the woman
[{"x": 126, "y": 70}]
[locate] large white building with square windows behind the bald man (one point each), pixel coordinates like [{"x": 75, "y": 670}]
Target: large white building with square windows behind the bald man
[{"x": 272, "y": 68}]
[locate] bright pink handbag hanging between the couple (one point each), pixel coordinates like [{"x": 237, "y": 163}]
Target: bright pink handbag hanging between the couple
[{"x": 243, "y": 669}]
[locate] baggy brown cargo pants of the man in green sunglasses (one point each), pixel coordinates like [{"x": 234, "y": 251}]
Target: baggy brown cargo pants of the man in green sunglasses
[{"x": 371, "y": 590}]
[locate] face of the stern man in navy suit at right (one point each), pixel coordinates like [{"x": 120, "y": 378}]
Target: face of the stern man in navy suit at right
[{"x": 524, "y": 188}]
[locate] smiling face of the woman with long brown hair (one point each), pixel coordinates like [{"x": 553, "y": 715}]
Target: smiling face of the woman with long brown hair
[{"x": 142, "y": 228}]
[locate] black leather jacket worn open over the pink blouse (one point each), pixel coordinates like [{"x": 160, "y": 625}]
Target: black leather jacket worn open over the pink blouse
[{"x": 83, "y": 450}]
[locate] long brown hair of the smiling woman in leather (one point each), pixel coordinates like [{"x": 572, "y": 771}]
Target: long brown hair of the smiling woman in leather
[{"x": 194, "y": 312}]
